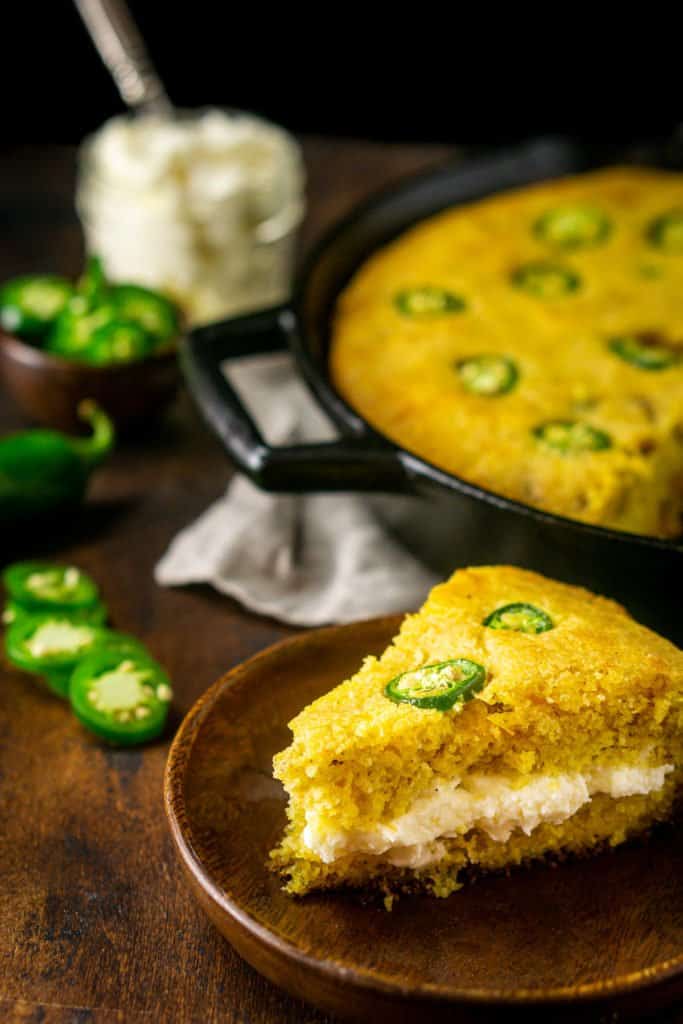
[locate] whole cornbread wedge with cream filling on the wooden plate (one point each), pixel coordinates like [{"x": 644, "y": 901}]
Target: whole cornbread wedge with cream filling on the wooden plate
[{"x": 511, "y": 718}]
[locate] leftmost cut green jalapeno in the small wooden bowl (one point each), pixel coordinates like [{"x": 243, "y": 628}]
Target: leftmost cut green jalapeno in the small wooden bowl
[{"x": 29, "y": 305}]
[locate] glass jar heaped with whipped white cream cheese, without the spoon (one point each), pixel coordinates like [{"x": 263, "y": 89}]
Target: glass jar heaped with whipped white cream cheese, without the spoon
[{"x": 204, "y": 206}]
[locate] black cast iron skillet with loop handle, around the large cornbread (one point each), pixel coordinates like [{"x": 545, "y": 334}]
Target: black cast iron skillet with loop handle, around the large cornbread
[{"x": 445, "y": 520}]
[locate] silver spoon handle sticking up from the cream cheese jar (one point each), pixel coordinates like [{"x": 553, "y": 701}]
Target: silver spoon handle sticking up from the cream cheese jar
[{"x": 122, "y": 49}]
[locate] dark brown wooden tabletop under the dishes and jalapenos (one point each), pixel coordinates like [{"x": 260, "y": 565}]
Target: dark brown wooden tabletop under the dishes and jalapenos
[{"x": 97, "y": 923}]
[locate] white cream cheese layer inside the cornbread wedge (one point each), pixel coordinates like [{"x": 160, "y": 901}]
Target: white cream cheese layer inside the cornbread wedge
[{"x": 495, "y": 804}]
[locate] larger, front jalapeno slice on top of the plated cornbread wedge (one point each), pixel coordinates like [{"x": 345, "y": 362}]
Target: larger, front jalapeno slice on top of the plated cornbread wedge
[{"x": 440, "y": 687}]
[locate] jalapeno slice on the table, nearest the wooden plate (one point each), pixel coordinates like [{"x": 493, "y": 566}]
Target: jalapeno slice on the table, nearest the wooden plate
[{"x": 123, "y": 699}]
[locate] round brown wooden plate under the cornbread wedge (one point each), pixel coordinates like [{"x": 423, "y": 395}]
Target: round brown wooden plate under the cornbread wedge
[{"x": 595, "y": 935}]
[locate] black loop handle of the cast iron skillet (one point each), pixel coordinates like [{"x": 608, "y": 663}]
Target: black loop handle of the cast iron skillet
[{"x": 350, "y": 464}]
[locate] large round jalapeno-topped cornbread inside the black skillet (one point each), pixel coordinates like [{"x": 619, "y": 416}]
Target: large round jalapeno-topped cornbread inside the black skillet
[{"x": 533, "y": 345}]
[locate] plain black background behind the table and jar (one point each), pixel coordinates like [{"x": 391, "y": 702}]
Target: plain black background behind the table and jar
[{"x": 479, "y": 74}]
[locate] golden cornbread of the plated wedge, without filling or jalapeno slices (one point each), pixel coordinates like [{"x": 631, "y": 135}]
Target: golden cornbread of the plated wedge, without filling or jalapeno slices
[{"x": 597, "y": 690}]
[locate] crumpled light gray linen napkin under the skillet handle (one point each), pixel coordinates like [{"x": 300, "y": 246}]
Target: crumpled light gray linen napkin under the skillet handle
[{"x": 304, "y": 560}]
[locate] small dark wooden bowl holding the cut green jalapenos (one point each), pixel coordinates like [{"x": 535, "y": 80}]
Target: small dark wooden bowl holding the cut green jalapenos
[{"x": 50, "y": 389}]
